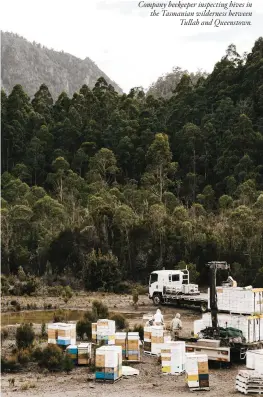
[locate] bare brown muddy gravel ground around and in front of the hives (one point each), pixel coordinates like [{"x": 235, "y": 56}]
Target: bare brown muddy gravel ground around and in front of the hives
[{"x": 150, "y": 382}]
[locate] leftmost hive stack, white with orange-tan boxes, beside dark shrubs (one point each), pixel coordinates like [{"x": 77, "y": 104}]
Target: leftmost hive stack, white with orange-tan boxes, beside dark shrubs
[{"x": 62, "y": 334}]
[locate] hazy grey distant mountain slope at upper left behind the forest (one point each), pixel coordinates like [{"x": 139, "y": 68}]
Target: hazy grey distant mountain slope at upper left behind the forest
[{"x": 31, "y": 64}]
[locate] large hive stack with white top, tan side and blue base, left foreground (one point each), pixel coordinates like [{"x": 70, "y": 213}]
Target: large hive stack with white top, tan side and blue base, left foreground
[{"x": 108, "y": 363}]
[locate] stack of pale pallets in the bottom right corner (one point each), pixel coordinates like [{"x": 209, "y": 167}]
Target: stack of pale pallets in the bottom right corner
[{"x": 248, "y": 382}]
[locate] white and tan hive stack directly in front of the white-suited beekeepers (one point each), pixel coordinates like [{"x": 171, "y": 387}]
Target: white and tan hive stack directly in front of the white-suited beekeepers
[{"x": 154, "y": 337}]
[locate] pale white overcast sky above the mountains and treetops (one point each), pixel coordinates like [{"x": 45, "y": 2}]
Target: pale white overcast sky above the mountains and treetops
[{"x": 130, "y": 46}]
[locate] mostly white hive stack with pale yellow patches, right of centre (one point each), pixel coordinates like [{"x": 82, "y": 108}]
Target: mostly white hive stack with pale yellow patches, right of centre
[{"x": 173, "y": 357}]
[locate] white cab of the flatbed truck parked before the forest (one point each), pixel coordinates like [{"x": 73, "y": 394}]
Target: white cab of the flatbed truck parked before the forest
[{"x": 162, "y": 280}]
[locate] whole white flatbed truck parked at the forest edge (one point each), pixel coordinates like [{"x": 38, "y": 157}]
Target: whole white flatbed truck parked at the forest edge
[{"x": 173, "y": 287}]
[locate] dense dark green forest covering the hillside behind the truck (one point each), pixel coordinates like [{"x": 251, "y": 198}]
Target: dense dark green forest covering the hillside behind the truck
[{"x": 106, "y": 187}]
